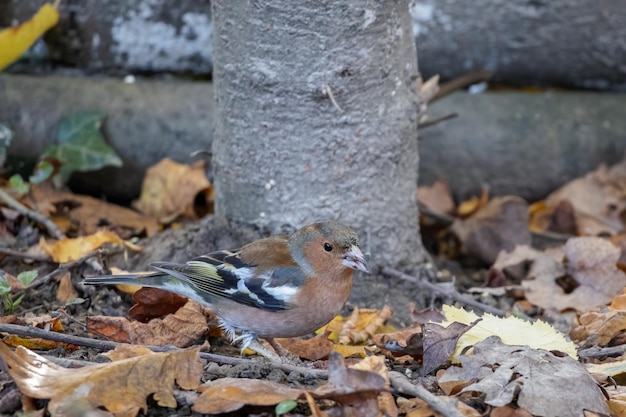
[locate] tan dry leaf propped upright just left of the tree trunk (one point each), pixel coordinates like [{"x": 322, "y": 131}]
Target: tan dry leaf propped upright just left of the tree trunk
[{"x": 171, "y": 189}]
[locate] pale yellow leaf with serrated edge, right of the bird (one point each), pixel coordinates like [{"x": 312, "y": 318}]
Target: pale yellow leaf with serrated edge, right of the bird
[{"x": 511, "y": 330}]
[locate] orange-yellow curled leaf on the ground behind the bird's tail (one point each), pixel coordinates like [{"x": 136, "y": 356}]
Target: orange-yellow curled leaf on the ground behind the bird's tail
[{"x": 70, "y": 249}]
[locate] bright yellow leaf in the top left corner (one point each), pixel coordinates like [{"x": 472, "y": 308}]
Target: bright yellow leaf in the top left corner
[{"x": 14, "y": 41}]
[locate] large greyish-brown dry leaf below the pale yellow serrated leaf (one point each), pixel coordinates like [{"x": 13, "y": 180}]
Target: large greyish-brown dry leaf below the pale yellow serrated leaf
[{"x": 537, "y": 380}]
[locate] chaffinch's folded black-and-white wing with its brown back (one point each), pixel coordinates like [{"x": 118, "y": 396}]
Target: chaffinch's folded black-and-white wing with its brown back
[{"x": 246, "y": 277}]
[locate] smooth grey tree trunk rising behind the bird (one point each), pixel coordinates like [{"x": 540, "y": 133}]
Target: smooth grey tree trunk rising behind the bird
[{"x": 316, "y": 118}]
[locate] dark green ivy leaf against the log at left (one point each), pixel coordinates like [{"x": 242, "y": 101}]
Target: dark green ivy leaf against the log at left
[{"x": 81, "y": 145}]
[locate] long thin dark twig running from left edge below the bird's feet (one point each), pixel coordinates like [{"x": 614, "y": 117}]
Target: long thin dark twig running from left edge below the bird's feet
[{"x": 108, "y": 345}]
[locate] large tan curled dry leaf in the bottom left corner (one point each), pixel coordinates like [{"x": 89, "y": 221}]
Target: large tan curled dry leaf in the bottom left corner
[{"x": 121, "y": 387}]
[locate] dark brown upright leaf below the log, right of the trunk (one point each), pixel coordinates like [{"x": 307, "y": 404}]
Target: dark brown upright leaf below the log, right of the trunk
[{"x": 500, "y": 225}]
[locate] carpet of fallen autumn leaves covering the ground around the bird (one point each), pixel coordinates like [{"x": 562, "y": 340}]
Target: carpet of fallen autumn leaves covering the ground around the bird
[{"x": 508, "y": 365}]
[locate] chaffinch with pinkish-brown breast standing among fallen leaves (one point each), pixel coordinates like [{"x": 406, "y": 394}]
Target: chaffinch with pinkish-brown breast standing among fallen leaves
[{"x": 281, "y": 286}]
